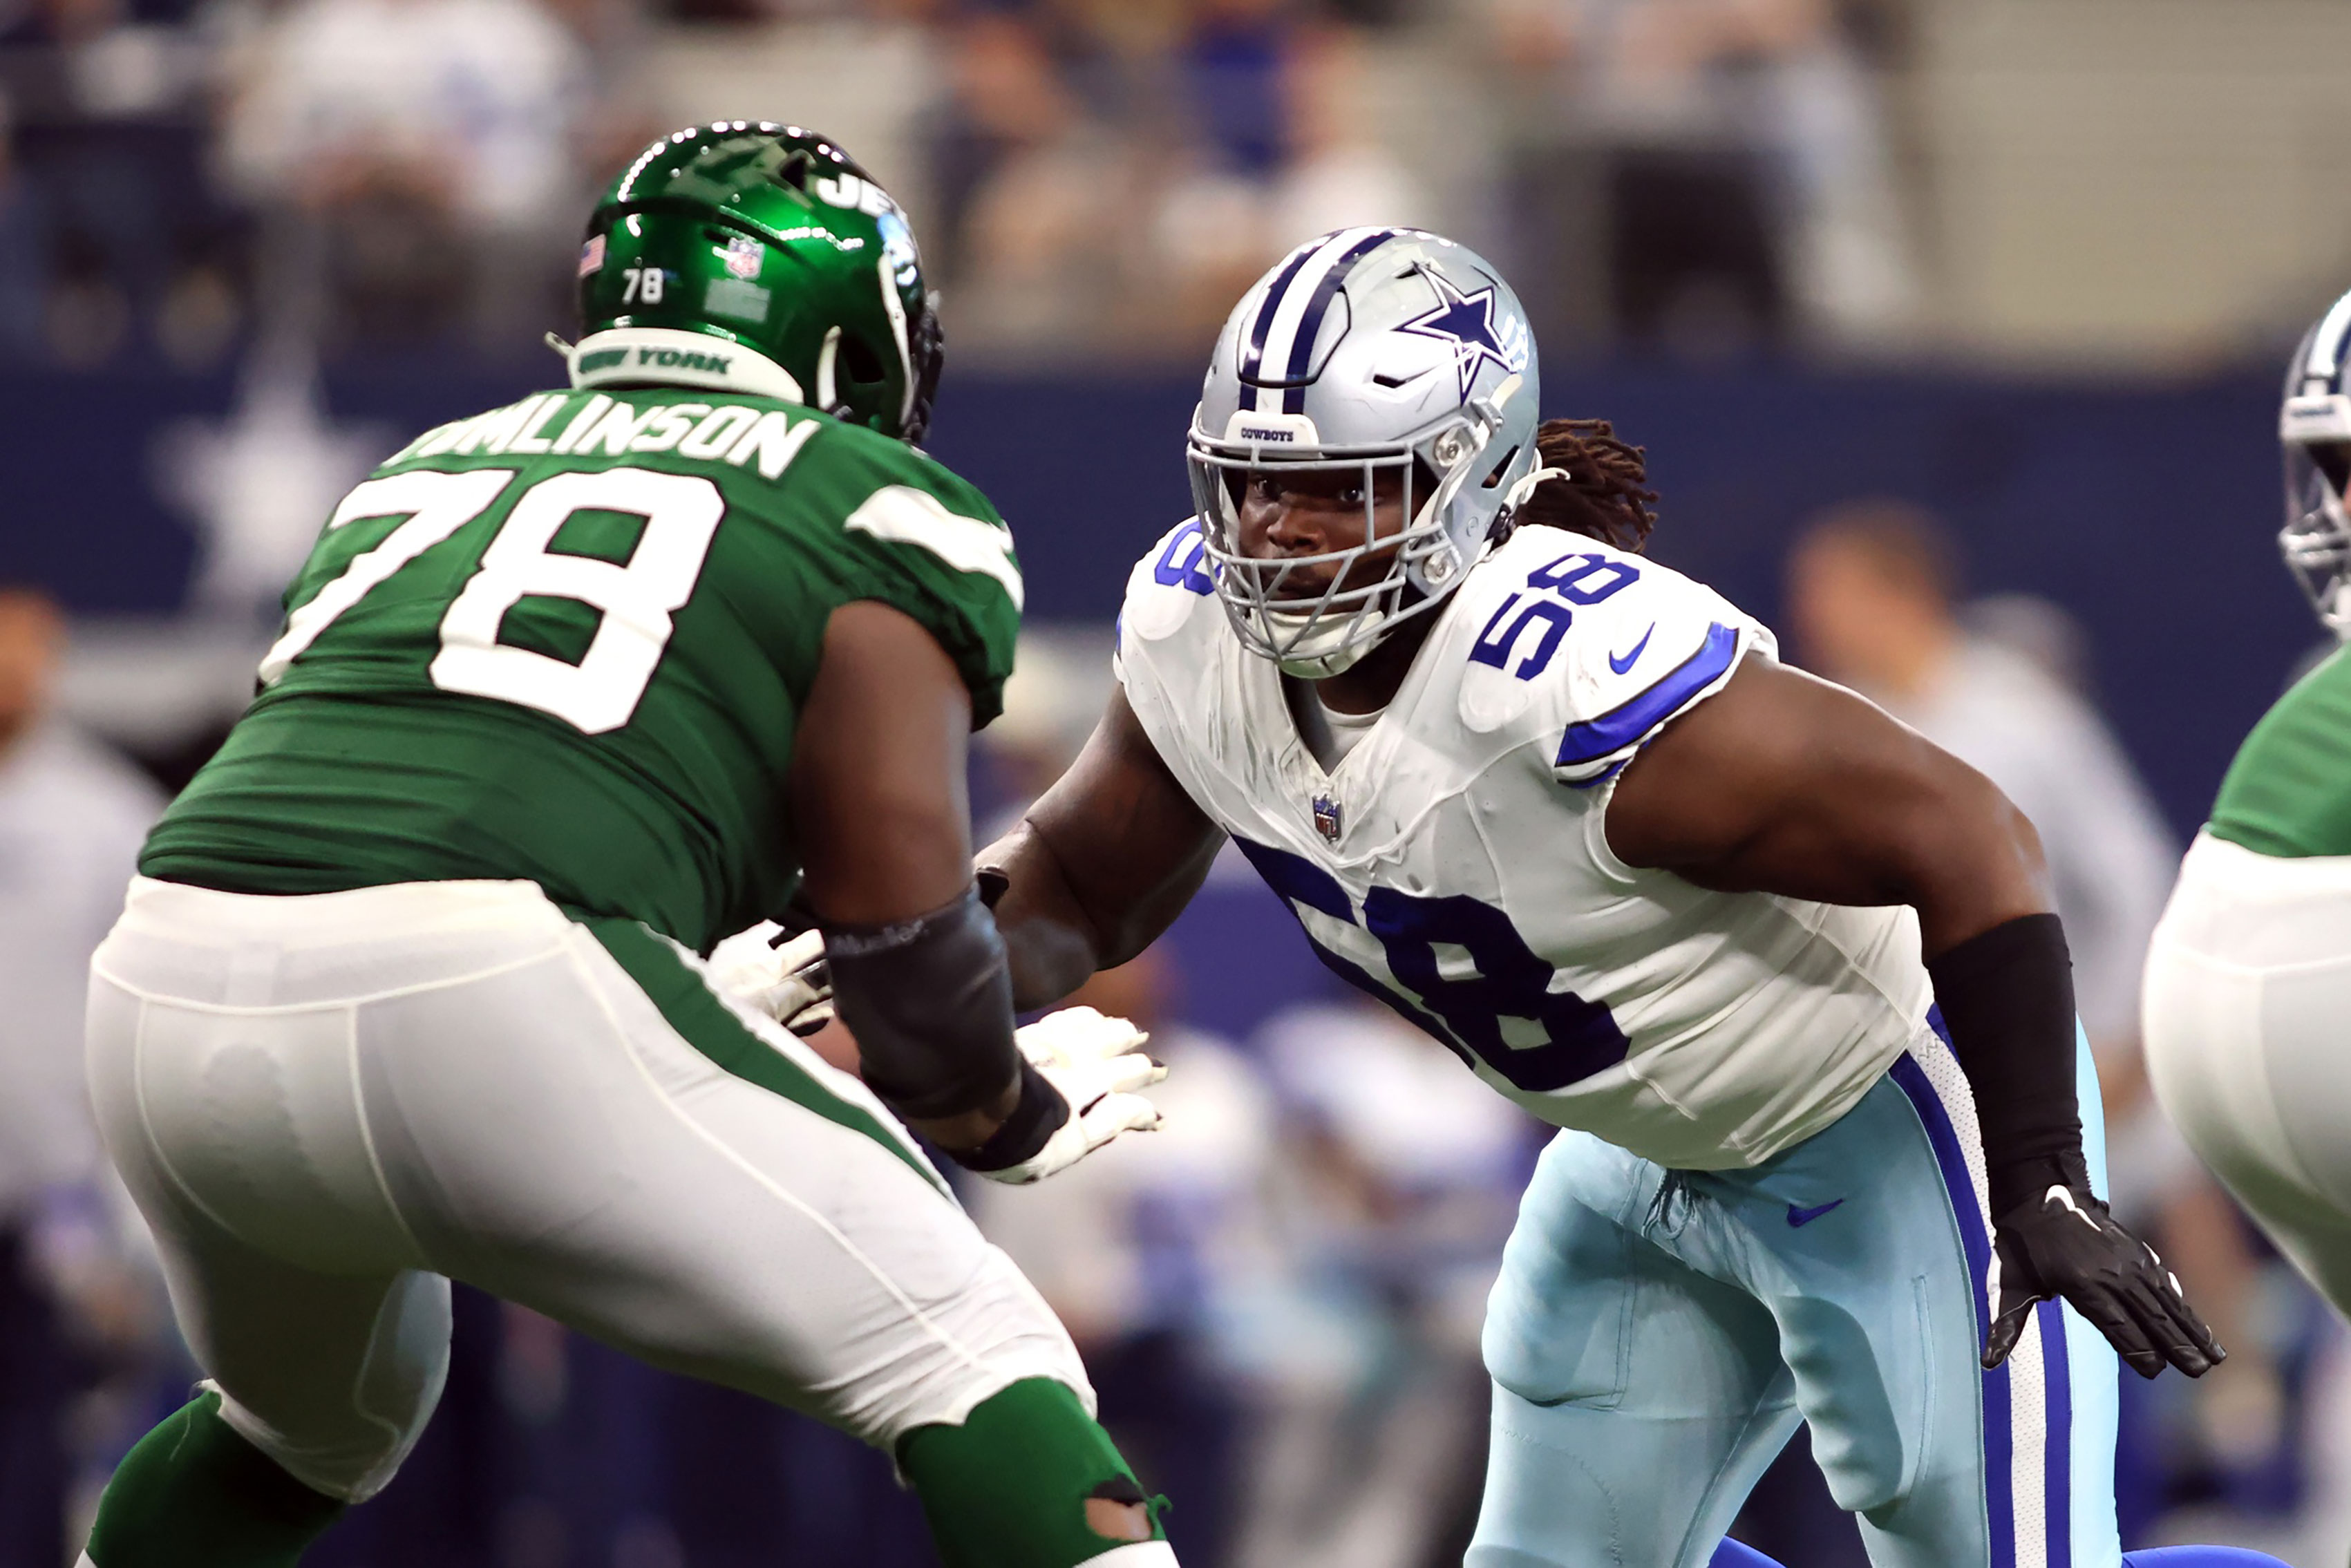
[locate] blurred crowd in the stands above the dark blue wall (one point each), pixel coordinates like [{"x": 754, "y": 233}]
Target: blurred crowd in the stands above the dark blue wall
[{"x": 1101, "y": 177}]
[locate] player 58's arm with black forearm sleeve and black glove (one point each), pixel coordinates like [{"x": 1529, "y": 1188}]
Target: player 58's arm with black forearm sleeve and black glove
[{"x": 1783, "y": 784}]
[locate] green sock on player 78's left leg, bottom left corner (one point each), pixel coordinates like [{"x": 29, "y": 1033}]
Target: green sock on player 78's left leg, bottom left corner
[{"x": 199, "y": 1496}]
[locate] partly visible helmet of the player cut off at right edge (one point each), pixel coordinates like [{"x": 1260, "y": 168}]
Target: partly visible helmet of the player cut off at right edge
[{"x": 2315, "y": 429}]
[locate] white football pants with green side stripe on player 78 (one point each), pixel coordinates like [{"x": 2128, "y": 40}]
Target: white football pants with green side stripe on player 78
[{"x": 333, "y": 1106}]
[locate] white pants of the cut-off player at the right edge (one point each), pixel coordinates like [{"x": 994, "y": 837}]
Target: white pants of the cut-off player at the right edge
[{"x": 2249, "y": 1040}]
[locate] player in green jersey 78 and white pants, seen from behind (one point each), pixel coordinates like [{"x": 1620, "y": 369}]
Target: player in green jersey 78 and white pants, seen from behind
[{"x": 410, "y": 986}]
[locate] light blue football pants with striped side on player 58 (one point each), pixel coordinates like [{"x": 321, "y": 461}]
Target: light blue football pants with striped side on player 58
[{"x": 1656, "y": 1339}]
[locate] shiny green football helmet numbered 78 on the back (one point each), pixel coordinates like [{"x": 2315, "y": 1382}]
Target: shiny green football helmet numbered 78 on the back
[{"x": 782, "y": 248}]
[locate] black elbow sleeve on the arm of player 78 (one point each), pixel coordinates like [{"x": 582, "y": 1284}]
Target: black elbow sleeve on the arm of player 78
[{"x": 932, "y": 1007}]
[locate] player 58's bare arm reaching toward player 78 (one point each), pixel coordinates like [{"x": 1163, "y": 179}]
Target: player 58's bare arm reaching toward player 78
[{"x": 1099, "y": 866}]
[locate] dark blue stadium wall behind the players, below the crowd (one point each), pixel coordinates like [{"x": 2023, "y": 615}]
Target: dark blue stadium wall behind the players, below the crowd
[{"x": 2143, "y": 509}]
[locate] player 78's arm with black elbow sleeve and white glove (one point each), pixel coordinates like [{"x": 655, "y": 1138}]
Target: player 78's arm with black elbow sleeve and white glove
[{"x": 918, "y": 970}]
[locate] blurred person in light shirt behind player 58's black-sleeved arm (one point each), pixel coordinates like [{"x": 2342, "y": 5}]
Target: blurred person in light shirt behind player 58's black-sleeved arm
[{"x": 1875, "y": 601}]
